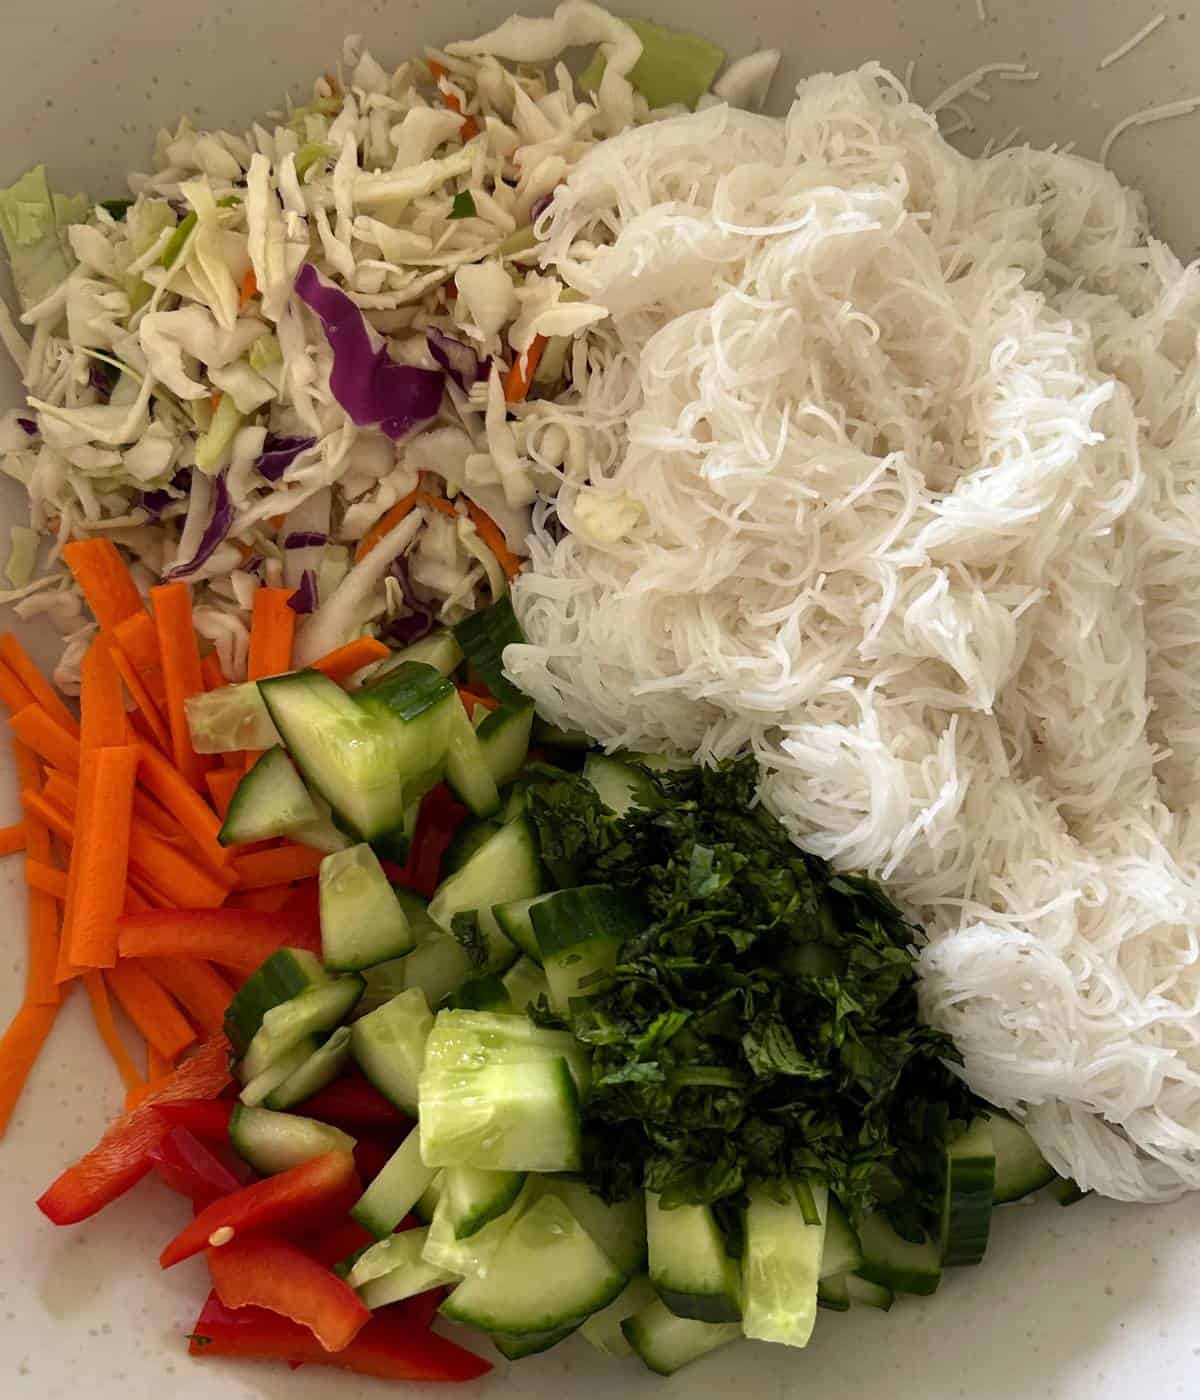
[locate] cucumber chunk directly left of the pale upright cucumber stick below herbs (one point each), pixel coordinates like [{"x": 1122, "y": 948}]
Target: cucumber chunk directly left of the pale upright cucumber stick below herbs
[{"x": 688, "y": 1263}]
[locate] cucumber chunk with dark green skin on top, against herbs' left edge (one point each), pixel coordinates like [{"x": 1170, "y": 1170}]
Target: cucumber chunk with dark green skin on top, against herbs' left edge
[{"x": 580, "y": 934}]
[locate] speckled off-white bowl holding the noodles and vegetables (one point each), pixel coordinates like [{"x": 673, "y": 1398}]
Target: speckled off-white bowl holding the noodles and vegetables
[{"x": 1100, "y": 1301}]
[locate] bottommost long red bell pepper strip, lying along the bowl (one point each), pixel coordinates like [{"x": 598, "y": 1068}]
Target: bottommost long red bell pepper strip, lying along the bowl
[{"x": 389, "y": 1347}]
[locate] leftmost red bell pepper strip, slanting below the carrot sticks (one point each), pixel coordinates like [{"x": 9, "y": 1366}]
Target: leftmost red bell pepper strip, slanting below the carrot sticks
[{"x": 123, "y": 1156}]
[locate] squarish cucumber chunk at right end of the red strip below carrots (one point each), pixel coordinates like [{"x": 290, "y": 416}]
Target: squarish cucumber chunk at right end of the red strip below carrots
[{"x": 362, "y": 920}]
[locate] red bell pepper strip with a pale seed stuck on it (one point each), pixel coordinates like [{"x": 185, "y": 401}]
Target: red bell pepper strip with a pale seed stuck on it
[{"x": 302, "y": 1198}]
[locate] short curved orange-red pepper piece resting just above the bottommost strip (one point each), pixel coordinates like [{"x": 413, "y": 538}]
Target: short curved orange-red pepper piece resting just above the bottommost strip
[{"x": 264, "y": 1272}]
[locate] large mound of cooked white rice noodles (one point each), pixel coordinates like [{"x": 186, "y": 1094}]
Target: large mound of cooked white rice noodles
[{"x": 895, "y": 478}]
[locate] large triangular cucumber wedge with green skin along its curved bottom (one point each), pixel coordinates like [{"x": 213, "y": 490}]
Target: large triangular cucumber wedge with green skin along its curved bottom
[{"x": 548, "y": 1275}]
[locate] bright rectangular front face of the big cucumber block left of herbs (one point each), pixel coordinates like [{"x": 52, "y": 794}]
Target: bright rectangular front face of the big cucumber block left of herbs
[{"x": 505, "y": 1118}]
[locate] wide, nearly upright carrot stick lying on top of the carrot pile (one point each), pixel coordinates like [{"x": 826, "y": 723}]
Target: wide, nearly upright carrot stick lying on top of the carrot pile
[{"x": 102, "y": 853}]
